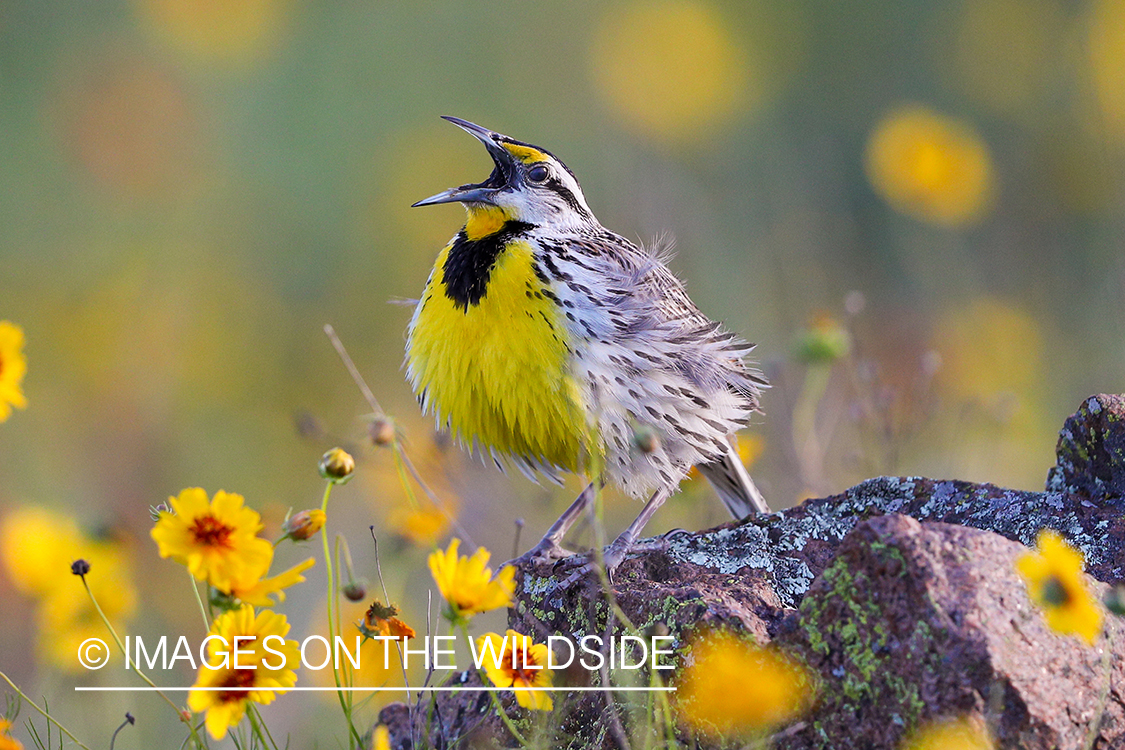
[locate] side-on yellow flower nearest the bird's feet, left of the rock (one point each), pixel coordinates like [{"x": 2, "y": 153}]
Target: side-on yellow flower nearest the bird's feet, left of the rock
[{"x": 467, "y": 583}]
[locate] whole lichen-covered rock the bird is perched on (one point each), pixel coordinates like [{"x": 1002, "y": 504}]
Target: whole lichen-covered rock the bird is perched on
[{"x": 905, "y": 621}]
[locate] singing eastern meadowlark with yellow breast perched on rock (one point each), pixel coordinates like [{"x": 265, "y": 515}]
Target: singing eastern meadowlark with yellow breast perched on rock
[{"x": 552, "y": 344}]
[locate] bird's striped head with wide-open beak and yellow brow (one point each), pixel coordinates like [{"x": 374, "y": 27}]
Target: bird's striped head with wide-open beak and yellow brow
[{"x": 528, "y": 185}]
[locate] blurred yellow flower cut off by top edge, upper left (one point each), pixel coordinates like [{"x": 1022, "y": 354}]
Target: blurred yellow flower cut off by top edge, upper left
[{"x": 222, "y": 31}]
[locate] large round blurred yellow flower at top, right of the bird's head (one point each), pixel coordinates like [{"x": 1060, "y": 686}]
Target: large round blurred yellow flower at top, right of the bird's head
[{"x": 670, "y": 69}]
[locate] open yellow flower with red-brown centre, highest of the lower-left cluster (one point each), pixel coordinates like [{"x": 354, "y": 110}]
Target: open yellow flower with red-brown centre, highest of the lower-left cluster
[{"x": 218, "y": 541}]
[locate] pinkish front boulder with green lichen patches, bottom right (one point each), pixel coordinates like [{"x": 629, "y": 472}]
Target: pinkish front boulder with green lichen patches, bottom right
[{"x": 916, "y": 622}]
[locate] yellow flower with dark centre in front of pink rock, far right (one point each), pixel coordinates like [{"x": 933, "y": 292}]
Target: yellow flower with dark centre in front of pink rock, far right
[{"x": 1056, "y": 583}]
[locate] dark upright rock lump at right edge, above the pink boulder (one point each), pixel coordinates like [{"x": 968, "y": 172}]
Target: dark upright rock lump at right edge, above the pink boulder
[{"x": 1092, "y": 453}]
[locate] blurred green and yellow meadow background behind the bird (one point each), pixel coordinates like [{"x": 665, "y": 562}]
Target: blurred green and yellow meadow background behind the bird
[{"x": 916, "y": 210}]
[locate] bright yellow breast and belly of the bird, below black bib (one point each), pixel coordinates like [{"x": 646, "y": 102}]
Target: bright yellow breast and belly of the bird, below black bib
[{"x": 498, "y": 372}]
